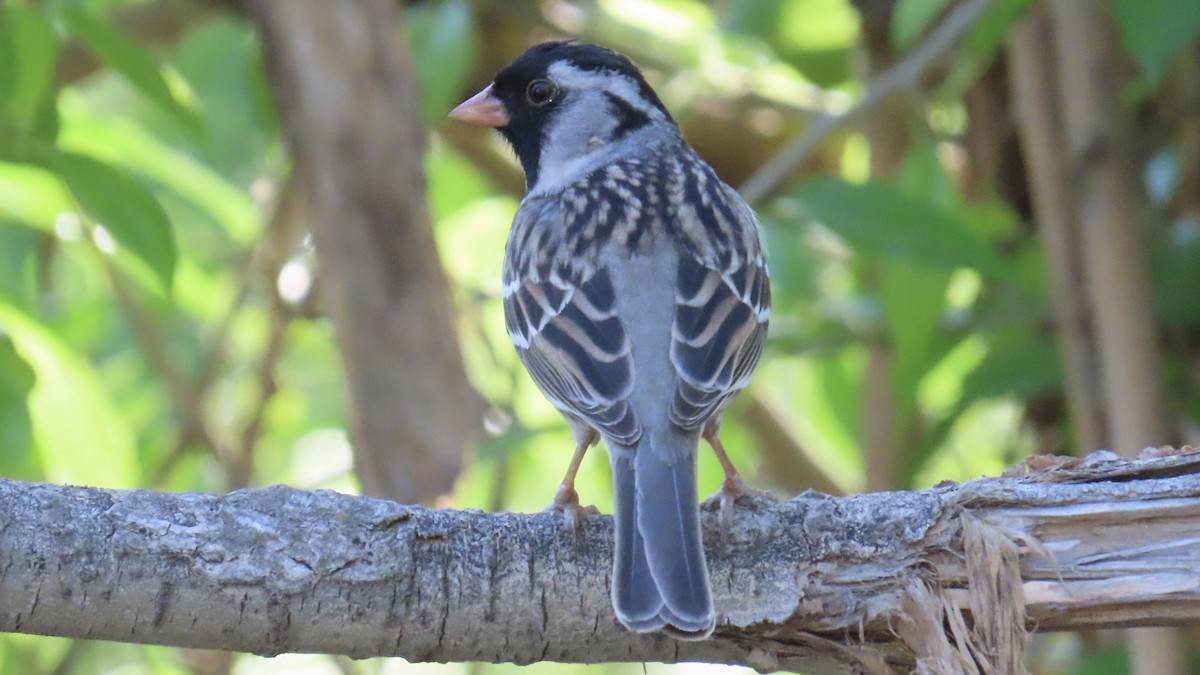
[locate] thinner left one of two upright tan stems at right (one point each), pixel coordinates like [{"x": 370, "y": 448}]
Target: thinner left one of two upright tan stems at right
[{"x": 1036, "y": 98}]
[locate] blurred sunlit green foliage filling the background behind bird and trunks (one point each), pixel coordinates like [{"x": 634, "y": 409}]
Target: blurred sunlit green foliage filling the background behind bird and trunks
[{"x": 140, "y": 294}]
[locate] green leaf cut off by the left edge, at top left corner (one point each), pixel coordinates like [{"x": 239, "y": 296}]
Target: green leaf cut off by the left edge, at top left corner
[{"x": 29, "y": 53}]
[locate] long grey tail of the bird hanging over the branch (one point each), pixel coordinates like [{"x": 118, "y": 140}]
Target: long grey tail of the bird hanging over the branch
[{"x": 661, "y": 577}]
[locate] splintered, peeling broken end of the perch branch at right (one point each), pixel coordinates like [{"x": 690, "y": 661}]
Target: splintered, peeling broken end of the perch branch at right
[{"x": 1034, "y": 557}]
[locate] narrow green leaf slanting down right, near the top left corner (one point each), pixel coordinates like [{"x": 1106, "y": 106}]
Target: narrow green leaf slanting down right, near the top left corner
[{"x": 127, "y": 57}]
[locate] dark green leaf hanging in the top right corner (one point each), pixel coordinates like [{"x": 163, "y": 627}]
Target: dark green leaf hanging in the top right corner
[{"x": 1156, "y": 32}]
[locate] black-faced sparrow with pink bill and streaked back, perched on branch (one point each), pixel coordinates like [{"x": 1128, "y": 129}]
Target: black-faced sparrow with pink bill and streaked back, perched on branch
[{"x": 637, "y": 292}]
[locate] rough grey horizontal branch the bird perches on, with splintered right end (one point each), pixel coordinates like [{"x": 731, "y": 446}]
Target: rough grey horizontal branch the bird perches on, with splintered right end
[{"x": 869, "y": 583}]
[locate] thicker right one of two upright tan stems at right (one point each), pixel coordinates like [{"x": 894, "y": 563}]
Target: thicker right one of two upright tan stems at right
[{"x": 1107, "y": 193}]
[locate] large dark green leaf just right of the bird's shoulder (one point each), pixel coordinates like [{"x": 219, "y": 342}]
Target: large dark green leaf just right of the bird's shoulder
[{"x": 884, "y": 220}]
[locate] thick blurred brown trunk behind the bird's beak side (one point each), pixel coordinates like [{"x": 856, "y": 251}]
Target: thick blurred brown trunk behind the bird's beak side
[{"x": 345, "y": 88}]
